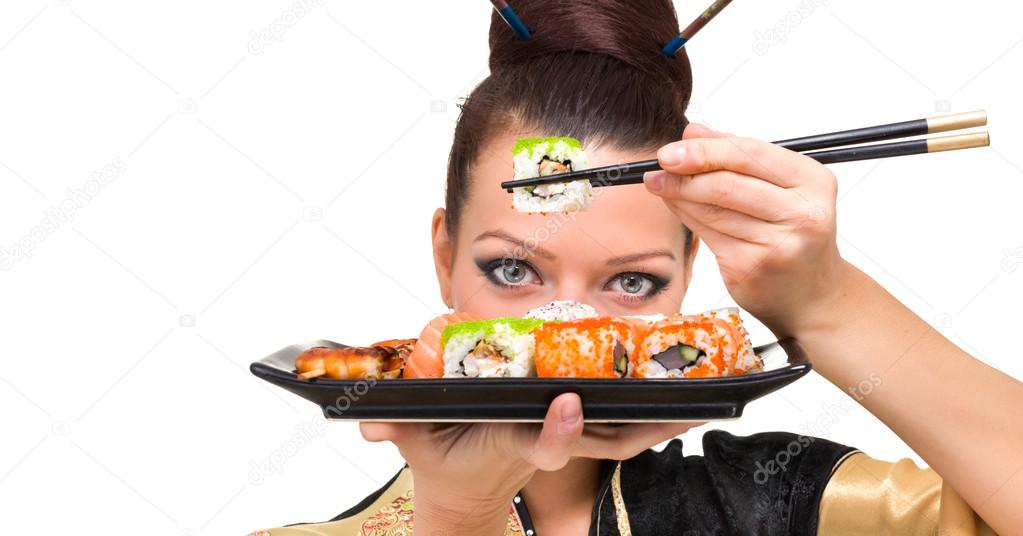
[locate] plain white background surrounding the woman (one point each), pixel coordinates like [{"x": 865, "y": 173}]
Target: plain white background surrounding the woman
[{"x": 279, "y": 194}]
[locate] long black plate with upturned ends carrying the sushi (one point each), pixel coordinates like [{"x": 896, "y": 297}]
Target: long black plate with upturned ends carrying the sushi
[{"x": 526, "y": 399}]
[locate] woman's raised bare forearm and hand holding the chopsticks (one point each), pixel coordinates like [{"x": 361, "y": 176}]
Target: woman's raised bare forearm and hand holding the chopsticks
[{"x": 769, "y": 215}]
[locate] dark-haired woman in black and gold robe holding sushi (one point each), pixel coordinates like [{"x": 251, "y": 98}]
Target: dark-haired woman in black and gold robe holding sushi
[{"x": 594, "y": 71}]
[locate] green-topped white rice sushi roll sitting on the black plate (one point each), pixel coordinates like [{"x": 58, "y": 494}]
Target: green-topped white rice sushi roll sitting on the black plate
[{"x": 498, "y": 348}]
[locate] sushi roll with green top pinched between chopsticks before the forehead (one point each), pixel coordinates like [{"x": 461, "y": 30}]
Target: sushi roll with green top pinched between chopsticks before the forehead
[{"x": 544, "y": 157}]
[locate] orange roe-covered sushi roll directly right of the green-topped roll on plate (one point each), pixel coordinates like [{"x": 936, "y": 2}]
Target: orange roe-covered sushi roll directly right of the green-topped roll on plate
[{"x": 602, "y": 347}]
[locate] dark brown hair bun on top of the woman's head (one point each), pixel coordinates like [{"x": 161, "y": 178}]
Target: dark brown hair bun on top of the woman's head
[{"x": 631, "y": 31}]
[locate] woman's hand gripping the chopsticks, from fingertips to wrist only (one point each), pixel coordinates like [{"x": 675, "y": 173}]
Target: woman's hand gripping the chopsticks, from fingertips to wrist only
[{"x": 768, "y": 214}]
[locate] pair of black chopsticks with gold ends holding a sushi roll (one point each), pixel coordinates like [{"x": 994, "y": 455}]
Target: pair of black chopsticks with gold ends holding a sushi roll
[{"x": 633, "y": 173}]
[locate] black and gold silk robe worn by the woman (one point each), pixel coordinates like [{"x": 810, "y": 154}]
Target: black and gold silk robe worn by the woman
[{"x": 772, "y": 484}]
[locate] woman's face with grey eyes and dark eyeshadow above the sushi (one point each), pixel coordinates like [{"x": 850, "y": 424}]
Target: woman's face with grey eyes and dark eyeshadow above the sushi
[{"x": 625, "y": 255}]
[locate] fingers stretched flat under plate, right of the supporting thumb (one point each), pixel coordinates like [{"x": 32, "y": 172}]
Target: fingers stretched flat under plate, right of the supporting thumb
[{"x": 624, "y": 442}]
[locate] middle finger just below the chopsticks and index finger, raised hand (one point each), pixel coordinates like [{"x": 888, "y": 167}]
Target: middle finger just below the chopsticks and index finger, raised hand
[{"x": 732, "y": 191}]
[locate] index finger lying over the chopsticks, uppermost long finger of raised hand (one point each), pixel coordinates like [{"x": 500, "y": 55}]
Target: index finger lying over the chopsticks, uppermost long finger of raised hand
[{"x": 749, "y": 157}]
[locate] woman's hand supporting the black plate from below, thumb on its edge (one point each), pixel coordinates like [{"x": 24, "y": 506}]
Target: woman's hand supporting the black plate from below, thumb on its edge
[{"x": 466, "y": 476}]
